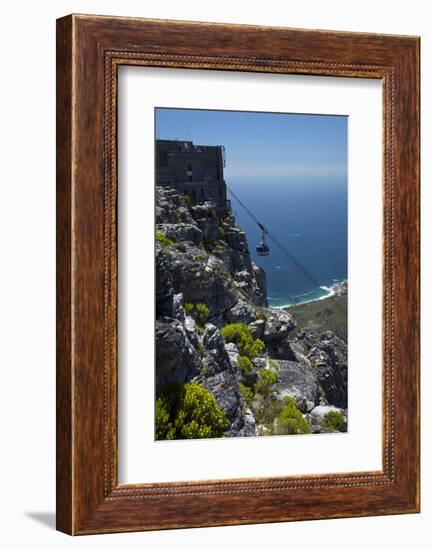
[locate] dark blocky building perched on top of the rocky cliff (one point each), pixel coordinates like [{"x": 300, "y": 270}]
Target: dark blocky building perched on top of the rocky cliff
[{"x": 193, "y": 169}]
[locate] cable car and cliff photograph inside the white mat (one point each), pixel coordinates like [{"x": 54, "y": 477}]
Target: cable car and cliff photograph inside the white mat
[{"x": 251, "y": 271}]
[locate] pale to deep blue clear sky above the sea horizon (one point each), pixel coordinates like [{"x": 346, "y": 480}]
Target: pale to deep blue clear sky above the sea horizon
[{"x": 276, "y": 146}]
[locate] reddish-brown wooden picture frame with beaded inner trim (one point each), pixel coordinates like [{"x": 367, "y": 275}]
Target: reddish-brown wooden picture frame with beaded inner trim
[{"x": 89, "y": 51}]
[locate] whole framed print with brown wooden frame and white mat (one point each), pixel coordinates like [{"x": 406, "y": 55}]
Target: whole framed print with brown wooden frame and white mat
[{"x": 237, "y": 274}]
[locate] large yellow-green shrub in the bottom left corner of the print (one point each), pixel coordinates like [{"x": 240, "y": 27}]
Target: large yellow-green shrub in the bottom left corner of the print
[{"x": 189, "y": 412}]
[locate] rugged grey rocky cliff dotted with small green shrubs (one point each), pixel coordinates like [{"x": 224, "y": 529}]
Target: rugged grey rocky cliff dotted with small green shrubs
[{"x": 213, "y": 328}]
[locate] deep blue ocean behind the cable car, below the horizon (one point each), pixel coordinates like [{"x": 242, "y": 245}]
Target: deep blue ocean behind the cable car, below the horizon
[{"x": 309, "y": 218}]
